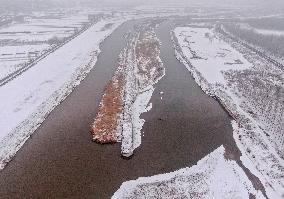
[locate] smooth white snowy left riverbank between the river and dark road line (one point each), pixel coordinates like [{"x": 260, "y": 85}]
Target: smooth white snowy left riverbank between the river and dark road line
[{"x": 26, "y": 101}]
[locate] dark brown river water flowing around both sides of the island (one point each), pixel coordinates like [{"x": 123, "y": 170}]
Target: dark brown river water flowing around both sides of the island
[{"x": 61, "y": 161}]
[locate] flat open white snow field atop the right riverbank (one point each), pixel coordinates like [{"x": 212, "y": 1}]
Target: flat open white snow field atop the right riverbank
[{"x": 209, "y": 55}]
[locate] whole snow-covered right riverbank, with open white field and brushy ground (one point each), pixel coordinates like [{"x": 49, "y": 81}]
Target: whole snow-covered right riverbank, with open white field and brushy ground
[{"x": 238, "y": 79}]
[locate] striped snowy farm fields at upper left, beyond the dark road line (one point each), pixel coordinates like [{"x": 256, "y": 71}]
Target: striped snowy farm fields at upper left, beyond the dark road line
[{"x": 24, "y": 40}]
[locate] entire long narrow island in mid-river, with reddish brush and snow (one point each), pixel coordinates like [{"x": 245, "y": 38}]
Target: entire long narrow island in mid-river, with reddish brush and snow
[{"x": 139, "y": 68}]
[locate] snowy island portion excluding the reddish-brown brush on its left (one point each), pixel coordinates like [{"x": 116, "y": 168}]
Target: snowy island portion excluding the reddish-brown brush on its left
[{"x": 141, "y": 76}]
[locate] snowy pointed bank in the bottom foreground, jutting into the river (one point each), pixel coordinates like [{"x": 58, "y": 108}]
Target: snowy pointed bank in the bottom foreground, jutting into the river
[{"x": 212, "y": 177}]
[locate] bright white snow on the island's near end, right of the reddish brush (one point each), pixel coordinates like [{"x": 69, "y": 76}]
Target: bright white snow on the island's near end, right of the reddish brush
[{"x": 132, "y": 123}]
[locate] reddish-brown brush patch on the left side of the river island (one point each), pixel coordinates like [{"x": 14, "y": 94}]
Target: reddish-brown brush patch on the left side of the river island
[{"x": 104, "y": 129}]
